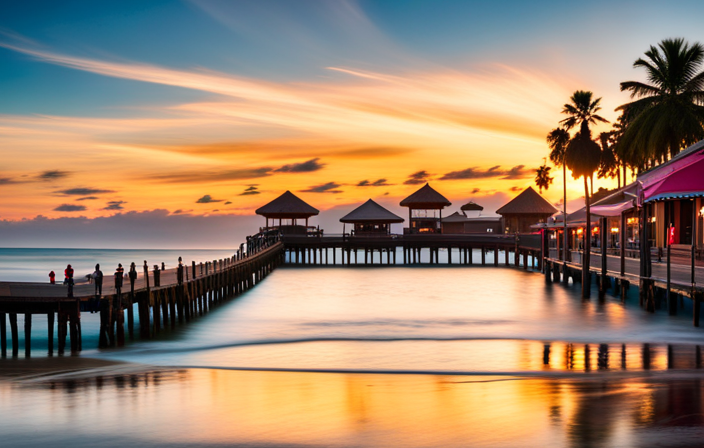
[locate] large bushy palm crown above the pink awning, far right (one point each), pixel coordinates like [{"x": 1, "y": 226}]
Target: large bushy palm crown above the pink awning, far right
[{"x": 668, "y": 113}]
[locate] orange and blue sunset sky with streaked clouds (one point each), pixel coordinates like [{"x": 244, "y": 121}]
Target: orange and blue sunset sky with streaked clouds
[{"x": 209, "y": 109}]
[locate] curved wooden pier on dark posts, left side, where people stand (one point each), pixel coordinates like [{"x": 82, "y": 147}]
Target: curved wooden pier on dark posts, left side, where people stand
[{"x": 164, "y": 299}]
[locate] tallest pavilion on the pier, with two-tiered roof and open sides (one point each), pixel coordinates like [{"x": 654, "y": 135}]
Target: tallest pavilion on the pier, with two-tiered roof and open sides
[{"x": 425, "y": 210}]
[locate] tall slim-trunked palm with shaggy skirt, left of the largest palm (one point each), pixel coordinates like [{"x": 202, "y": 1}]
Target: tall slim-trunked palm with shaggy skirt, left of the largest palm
[{"x": 582, "y": 157}]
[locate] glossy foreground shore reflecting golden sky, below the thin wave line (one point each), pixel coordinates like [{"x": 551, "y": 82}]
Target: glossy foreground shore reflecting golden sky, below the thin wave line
[{"x": 220, "y": 407}]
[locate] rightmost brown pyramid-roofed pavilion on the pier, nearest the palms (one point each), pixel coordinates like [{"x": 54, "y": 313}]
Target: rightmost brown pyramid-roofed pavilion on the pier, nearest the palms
[{"x": 524, "y": 210}]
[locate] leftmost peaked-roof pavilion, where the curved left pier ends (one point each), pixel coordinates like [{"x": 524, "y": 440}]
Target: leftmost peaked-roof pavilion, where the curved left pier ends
[{"x": 288, "y": 209}]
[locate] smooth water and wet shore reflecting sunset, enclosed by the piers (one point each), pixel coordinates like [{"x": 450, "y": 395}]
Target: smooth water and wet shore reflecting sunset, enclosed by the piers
[{"x": 381, "y": 356}]
